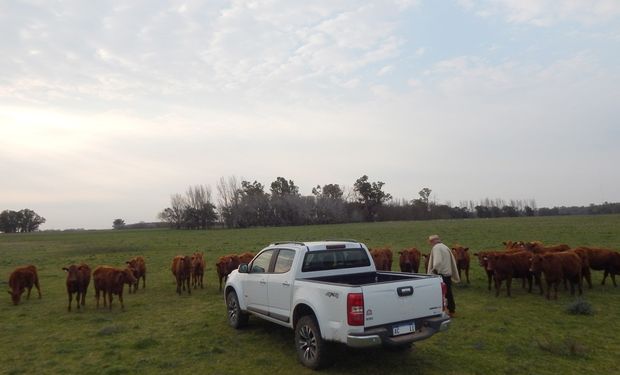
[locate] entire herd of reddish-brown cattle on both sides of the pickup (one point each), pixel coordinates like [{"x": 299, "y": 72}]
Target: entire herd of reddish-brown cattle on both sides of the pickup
[{"x": 532, "y": 262}]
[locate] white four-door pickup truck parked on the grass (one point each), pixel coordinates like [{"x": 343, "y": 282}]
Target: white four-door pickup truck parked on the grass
[{"x": 330, "y": 291}]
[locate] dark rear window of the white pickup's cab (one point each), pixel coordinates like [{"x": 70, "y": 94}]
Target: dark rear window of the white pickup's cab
[{"x": 335, "y": 259}]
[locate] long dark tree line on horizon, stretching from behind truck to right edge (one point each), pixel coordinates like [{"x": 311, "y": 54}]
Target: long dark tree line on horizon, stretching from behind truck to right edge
[{"x": 242, "y": 204}]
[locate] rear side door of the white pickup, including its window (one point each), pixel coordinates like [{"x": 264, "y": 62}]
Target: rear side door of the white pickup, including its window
[{"x": 280, "y": 286}]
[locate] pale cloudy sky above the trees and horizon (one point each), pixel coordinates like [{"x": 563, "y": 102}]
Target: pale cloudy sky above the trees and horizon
[{"x": 109, "y": 108}]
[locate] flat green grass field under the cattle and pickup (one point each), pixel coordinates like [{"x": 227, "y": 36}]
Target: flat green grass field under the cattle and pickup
[{"x": 161, "y": 332}]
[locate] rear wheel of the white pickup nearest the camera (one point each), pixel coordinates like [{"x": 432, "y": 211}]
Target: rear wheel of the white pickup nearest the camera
[{"x": 312, "y": 351}]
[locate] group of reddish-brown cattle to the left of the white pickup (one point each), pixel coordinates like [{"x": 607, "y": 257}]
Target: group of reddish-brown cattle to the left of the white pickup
[{"x": 188, "y": 272}]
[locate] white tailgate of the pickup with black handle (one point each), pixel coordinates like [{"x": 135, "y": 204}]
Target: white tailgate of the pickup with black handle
[{"x": 399, "y": 301}]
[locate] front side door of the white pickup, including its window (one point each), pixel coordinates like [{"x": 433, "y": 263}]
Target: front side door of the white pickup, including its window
[{"x": 255, "y": 284}]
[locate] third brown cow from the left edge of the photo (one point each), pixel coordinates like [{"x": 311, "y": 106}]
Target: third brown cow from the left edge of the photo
[{"x": 110, "y": 281}]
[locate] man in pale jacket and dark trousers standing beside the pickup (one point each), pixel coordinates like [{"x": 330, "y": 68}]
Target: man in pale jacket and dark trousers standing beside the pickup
[{"x": 441, "y": 262}]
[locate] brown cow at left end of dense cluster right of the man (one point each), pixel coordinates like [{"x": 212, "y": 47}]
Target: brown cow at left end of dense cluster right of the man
[{"x": 505, "y": 266}]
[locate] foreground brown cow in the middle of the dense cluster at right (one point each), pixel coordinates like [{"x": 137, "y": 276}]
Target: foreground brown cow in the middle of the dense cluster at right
[{"x": 557, "y": 267}]
